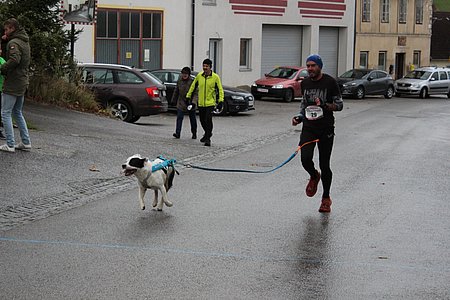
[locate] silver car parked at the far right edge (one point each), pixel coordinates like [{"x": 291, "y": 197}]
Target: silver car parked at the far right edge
[{"x": 424, "y": 82}]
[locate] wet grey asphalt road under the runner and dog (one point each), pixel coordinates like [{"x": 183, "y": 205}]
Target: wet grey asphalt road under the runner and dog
[{"x": 71, "y": 227}]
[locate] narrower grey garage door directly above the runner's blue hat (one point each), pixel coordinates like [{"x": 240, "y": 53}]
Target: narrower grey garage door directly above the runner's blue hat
[{"x": 328, "y": 49}]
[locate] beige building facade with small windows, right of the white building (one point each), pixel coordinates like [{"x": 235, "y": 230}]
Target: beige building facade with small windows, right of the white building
[{"x": 393, "y": 35}]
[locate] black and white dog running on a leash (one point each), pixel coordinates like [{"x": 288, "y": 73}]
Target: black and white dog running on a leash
[{"x": 160, "y": 180}]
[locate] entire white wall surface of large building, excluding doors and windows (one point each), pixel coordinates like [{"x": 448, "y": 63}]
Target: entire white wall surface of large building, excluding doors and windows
[{"x": 219, "y": 21}]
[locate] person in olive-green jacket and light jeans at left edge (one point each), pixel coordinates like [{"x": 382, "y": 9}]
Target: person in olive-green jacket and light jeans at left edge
[{"x": 15, "y": 70}]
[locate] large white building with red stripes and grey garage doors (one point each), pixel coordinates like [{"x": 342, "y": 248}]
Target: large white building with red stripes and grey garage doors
[{"x": 243, "y": 38}]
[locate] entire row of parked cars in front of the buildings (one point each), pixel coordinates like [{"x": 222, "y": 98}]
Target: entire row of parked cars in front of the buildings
[{"x": 131, "y": 93}]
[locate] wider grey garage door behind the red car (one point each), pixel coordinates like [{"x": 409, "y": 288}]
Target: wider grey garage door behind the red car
[{"x": 281, "y": 45}]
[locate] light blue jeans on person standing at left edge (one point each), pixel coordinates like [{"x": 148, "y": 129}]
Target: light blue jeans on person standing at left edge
[{"x": 12, "y": 106}]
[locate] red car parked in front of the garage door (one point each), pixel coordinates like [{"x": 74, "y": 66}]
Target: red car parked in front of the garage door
[{"x": 282, "y": 82}]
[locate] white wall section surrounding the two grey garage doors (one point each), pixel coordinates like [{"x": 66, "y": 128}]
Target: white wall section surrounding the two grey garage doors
[{"x": 219, "y": 21}]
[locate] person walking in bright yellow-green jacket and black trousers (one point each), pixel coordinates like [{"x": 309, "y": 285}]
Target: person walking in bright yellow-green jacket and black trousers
[{"x": 208, "y": 84}]
